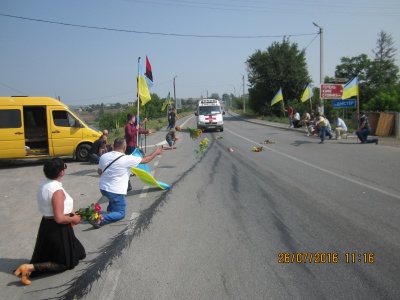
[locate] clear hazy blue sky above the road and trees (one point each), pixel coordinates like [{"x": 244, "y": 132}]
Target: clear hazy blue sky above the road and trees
[{"x": 197, "y": 41}]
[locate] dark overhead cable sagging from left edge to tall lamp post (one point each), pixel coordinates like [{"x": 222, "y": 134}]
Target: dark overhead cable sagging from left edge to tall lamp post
[{"x": 156, "y": 33}]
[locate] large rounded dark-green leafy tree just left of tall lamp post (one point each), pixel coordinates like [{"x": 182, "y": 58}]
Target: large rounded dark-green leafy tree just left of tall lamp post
[{"x": 282, "y": 65}]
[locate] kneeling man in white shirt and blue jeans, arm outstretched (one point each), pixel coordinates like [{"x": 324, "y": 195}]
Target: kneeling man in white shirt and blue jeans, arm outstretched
[{"x": 115, "y": 170}]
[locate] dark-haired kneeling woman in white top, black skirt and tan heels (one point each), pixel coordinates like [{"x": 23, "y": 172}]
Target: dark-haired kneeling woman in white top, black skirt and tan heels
[{"x": 57, "y": 249}]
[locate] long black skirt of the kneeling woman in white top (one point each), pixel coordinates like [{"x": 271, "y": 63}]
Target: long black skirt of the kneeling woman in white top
[{"x": 57, "y": 243}]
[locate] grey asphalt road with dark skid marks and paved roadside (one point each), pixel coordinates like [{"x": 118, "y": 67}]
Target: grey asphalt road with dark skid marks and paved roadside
[{"x": 296, "y": 221}]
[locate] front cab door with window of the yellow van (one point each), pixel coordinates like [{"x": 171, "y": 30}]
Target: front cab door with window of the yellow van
[{"x": 65, "y": 132}]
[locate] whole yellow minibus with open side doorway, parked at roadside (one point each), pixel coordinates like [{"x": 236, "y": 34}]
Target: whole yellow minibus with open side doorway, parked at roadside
[{"x": 34, "y": 127}]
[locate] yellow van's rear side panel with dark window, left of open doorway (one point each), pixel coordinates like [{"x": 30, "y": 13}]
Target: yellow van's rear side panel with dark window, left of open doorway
[{"x": 12, "y": 135}]
